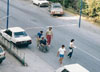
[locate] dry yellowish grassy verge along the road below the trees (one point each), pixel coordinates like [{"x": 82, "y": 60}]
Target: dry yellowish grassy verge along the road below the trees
[{"x": 90, "y": 19}]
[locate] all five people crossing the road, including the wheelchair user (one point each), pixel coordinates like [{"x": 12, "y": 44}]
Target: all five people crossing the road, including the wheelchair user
[{"x": 46, "y": 42}]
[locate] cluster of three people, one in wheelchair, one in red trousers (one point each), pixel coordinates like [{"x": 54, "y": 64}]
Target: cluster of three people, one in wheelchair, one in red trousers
[{"x": 41, "y": 38}]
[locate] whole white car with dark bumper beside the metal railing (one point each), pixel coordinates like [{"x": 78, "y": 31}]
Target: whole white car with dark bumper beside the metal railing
[{"x": 17, "y": 36}]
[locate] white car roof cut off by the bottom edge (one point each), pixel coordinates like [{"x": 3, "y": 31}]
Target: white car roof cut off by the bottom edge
[{"x": 72, "y": 68}]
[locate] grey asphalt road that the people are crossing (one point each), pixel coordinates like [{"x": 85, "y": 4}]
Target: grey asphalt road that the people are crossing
[{"x": 33, "y": 19}]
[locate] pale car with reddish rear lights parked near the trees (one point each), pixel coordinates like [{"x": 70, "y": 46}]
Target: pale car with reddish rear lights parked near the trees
[{"x": 56, "y": 9}]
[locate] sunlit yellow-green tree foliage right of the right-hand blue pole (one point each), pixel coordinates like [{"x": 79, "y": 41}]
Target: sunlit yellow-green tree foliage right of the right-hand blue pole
[{"x": 92, "y": 8}]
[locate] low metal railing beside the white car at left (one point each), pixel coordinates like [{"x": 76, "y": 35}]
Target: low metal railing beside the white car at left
[{"x": 12, "y": 49}]
